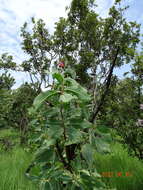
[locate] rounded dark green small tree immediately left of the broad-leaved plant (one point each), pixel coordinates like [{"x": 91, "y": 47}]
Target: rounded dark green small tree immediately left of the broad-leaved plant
[{"x": 19, "y": 118}]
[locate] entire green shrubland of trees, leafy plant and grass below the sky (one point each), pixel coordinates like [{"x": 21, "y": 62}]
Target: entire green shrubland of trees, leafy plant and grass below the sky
[{"x": 87, "y": 121}]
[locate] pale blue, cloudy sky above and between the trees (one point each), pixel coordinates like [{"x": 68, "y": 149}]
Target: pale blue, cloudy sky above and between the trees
[{"x": 13, "y": 14}]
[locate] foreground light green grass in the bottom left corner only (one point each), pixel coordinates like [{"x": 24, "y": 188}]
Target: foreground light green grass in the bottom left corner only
[{"x": 12, "y": 167}]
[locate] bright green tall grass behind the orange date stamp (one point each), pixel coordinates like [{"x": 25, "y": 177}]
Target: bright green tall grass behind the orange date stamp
[{"x": 120, "y": 161}]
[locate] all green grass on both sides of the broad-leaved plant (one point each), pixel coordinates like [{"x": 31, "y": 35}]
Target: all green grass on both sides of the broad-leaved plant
[{"x": 13, "y": 164}]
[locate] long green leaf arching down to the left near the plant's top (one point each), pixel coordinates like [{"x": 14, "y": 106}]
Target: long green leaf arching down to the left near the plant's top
[{"x": 42, "y": 97}]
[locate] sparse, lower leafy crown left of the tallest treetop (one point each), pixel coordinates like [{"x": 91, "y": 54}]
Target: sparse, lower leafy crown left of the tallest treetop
[{"x": 38, "y": 45}]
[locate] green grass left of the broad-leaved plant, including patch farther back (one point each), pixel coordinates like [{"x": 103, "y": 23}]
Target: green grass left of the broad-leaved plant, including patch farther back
[{"x": 13, "y": 164}]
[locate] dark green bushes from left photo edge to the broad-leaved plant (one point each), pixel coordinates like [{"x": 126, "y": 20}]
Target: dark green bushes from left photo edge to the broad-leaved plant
[{"x": 14, "y": 108}]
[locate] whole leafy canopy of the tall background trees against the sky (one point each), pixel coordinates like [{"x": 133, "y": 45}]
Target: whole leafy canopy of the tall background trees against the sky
[{"x": 111, "y": 40}]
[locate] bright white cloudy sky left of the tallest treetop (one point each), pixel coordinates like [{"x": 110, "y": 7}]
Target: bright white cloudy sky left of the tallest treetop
[{"x": 13, "y": 13}]
